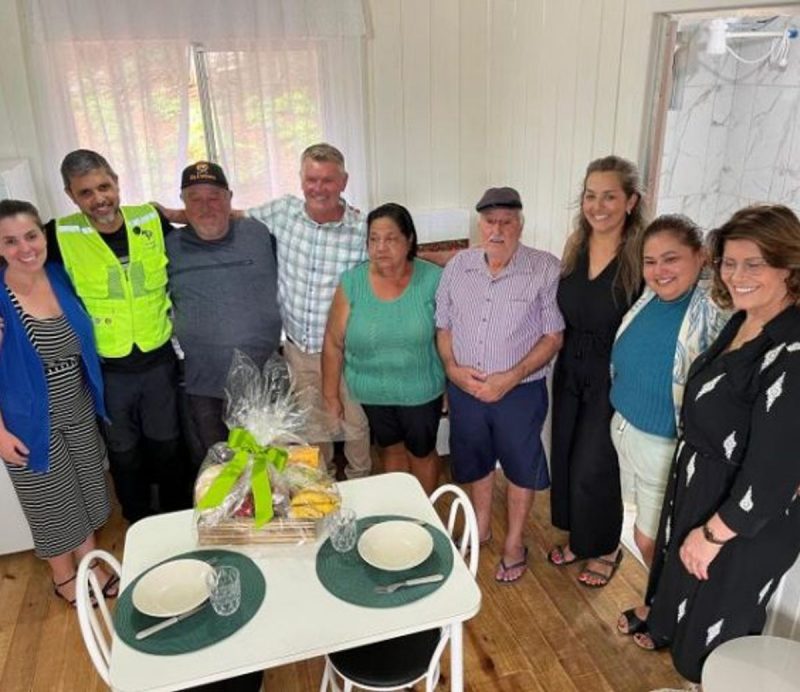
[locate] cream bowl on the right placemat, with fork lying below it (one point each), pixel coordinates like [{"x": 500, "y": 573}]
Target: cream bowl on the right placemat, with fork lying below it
[{"x": 395, "y": 545}]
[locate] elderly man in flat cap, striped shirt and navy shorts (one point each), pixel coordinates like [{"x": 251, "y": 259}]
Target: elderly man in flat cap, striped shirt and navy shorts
[{"x": 498, "y": 328}]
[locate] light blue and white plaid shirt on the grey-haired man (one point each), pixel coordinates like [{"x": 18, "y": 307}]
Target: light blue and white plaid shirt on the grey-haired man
[{"x": 311, "y": 258}]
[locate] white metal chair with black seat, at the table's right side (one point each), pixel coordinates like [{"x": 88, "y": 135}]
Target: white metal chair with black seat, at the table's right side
[{"x": 395, "y": 664}]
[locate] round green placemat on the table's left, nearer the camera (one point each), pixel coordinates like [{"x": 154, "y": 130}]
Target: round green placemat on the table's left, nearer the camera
[{"x": 200, "y": 630}]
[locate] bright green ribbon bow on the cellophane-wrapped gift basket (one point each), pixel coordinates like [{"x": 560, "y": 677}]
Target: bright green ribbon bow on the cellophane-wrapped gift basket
[{"x": 245, "y": 447}]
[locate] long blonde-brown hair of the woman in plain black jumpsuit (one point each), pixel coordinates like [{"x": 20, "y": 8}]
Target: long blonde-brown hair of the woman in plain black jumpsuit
[{"x": 629, "y": 269}]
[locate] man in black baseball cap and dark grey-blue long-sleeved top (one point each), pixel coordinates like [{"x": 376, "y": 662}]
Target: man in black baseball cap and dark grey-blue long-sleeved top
[{"x": 223, "y": 283}]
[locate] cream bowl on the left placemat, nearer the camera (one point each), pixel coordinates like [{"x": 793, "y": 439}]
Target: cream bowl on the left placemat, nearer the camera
[{"x": 172, "y": 588}]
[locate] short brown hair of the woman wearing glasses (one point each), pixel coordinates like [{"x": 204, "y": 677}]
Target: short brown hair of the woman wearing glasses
[{"x": 775, "y": 229}]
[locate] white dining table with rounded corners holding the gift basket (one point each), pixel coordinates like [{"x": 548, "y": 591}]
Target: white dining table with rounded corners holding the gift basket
[{"x": 298, "y": 619}]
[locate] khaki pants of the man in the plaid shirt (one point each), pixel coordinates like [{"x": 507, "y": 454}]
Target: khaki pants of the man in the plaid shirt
[{"x": 307, "y": 369}]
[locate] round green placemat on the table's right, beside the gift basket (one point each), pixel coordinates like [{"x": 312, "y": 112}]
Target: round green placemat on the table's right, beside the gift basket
[{"x": 348, "y": 577}]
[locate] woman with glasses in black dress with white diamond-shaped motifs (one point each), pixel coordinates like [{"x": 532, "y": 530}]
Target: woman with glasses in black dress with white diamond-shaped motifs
[{"x": 730, "y": 526}]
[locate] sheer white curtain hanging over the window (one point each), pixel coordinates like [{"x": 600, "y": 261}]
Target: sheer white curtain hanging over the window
[{"x": 120, "y": 78}]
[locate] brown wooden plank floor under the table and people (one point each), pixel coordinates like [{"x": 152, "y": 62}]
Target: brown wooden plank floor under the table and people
[{"x": 545, "y": 633}]
